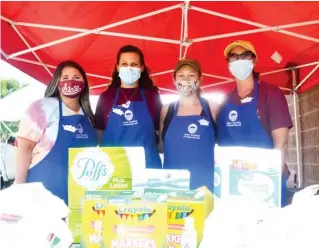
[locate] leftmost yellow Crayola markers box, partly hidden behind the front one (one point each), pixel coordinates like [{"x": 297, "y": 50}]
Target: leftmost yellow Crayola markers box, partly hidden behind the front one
[{"x": 93, "y": 214}]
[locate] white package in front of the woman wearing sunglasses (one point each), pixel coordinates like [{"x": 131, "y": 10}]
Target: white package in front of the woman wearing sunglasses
[{"x": 248, "y": 173}]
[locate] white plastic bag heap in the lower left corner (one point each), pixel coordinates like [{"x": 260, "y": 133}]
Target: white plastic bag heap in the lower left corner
[{"x": 31, "y": 217}]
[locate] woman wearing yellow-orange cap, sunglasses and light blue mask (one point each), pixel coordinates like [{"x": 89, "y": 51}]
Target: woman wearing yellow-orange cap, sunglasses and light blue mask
[{"x": 259, "y": 109}]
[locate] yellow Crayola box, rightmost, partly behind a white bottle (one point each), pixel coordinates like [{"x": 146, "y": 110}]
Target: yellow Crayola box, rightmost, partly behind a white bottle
[{"x": 181, "y": 204}]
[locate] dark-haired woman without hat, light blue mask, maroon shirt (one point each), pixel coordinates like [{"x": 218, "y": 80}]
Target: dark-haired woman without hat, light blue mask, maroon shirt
[{"x": 127, "y": 113}]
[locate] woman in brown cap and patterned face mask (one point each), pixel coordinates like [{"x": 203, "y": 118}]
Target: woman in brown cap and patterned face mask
[{"x": 187, "y": 127}]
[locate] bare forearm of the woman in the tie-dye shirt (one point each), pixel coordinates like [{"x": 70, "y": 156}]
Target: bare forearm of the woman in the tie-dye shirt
[{"x": 23, "y": 165}]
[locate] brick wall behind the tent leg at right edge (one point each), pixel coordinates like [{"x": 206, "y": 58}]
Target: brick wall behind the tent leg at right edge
[{"x": 309, "y": 128}]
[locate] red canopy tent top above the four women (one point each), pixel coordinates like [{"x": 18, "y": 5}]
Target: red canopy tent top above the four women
[{"x": 36, "y": 36}]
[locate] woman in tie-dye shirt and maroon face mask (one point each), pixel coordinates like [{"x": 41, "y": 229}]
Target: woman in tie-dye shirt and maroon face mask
[{"x": 52, "y": 125}]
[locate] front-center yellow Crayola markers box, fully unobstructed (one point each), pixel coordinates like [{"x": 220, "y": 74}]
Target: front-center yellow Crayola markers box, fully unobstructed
[{"x": 132, "y": 222}]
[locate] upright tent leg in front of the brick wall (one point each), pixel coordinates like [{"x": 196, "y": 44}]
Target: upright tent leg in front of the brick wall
[{"x": 297, "y": 132}]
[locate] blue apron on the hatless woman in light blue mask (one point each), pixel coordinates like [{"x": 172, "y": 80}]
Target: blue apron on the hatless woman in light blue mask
[{"x": 132, "y": 126}]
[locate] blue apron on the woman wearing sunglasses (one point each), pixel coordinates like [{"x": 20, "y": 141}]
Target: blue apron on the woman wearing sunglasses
[{"x": 239, "y": 125}]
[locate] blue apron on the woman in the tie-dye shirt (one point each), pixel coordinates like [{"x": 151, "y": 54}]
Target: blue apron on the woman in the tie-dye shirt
[{"x": 52, "y": 170}]
